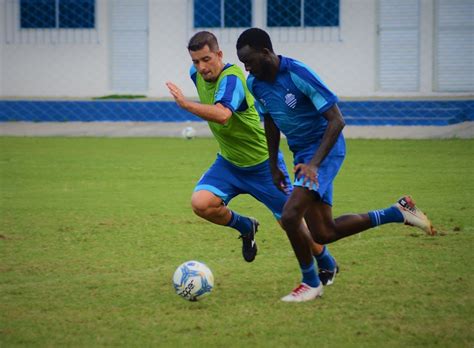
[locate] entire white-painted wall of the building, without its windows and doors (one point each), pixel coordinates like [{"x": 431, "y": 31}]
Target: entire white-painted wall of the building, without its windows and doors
[{"x": 345, "y": 59}]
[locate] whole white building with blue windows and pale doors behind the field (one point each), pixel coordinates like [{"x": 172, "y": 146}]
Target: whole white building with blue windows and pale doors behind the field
[{"x": 371, "y": 48}]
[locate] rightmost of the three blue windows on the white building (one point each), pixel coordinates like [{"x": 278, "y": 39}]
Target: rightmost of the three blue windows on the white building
[{"x": 302, "y": 13}]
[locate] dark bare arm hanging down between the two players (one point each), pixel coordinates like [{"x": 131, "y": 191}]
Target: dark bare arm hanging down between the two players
[{"x": 272, "y": 133}]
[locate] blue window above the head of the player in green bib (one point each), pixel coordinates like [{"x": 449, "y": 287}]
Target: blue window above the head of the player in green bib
[{"x": 222, "y": 14}]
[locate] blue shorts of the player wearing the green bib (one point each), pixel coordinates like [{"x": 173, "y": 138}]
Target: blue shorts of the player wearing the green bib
[{"x": 227, "y": 180}]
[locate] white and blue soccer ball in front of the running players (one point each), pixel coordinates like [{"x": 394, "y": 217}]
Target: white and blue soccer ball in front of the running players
[{"x": 193, "y": 280}]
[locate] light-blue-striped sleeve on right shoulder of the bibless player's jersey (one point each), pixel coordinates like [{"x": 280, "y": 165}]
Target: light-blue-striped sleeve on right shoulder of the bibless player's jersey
[{"x": 309, "y": 83}]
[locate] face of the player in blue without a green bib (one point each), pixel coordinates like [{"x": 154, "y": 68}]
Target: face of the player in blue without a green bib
[{"x": 257, "y": 62}]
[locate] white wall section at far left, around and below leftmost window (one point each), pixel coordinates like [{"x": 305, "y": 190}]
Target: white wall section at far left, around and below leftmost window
[{"x": 34, "y": 65}]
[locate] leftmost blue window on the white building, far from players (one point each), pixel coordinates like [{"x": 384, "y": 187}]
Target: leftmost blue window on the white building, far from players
[{"x": 64, "y": 14}]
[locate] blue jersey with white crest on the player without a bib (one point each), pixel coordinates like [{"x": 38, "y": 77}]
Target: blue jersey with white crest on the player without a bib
[{"x": 296, "y": 101}]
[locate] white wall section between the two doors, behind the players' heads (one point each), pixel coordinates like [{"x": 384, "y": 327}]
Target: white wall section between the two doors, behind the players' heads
[{"x": 346, "y": 65}]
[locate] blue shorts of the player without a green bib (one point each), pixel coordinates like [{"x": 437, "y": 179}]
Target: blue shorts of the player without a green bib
[{"x": 326, "y": 172}]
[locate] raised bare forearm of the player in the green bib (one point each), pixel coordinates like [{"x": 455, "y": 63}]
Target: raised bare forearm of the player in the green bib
[{"x": 214, "y": 113}]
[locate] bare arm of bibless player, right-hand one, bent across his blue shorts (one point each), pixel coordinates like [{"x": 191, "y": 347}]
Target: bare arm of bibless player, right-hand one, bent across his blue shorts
[{"x": 335, "y": 125}]
